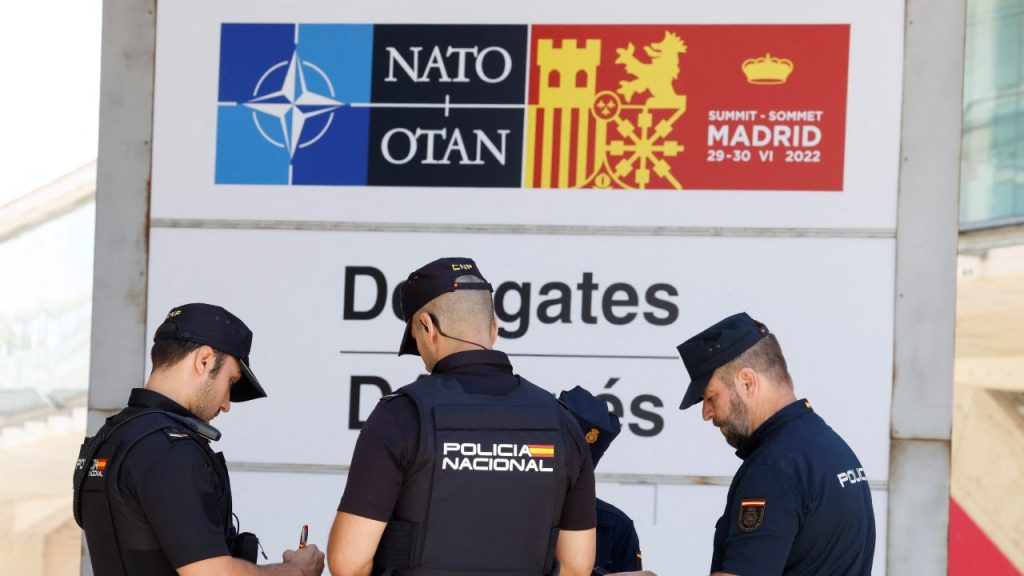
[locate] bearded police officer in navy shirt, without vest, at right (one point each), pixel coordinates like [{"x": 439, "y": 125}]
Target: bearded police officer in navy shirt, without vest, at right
[{"x": 800, "y": 504}]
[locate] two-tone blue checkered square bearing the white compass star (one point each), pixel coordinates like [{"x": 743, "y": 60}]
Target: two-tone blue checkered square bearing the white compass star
[{"x": 285, "y": 113}]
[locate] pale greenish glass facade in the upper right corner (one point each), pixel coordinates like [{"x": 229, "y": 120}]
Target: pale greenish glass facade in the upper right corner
[{"x": 993, "y": 154}]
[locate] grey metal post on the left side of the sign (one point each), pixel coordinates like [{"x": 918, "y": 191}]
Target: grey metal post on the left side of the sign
[{"x": 120, "y": 269}]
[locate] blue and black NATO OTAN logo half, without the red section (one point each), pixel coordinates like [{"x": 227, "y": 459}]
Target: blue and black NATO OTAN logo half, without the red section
[{"x": 371, "y": 105}]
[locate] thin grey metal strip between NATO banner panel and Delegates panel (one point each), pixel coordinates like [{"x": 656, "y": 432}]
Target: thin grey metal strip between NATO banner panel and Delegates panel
[{"x": 551, "y": 230}]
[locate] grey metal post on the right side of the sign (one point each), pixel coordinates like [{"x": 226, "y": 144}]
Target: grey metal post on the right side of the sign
[{"x": 926, "y": 290}]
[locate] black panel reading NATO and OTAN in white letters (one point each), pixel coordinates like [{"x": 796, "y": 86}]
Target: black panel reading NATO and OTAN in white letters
[{"x": 448, "y": 106}]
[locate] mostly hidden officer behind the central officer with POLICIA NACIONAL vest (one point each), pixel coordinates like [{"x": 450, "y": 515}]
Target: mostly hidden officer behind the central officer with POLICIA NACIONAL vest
[{"x": 618, "y": 544}]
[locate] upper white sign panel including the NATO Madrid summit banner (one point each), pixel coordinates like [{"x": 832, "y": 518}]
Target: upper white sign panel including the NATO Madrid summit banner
[{"x": 397, "y": 112}]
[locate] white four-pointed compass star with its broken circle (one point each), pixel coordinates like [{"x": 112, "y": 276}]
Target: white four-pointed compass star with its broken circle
[{"x": 291, "y": 104}]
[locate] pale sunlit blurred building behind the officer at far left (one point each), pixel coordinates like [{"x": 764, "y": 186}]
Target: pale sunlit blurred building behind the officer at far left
[{"x": 46, "y": 318}]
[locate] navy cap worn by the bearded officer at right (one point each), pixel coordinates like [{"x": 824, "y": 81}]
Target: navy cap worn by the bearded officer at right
[{"x": 714, "y": 348}]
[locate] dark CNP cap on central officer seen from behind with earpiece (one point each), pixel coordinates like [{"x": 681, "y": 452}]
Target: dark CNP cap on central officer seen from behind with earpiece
[{"x": 430, "y": 282}]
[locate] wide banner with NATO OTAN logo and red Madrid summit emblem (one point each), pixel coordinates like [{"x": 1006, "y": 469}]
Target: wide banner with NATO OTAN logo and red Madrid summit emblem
[{"x": 634, "y": 107}]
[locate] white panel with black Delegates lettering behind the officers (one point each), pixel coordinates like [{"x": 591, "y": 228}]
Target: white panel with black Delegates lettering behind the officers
[{"x": 326, "y": 334}]
